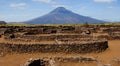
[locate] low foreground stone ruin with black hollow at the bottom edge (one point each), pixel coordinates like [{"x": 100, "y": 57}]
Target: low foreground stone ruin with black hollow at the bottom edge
[{"x": 58, "y": 61}]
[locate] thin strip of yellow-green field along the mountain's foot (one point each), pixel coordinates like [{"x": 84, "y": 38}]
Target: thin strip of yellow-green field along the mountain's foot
[{"x": 106, "y": 24}]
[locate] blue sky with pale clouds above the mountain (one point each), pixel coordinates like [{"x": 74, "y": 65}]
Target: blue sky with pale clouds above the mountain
[{"x": 23, "y": 10}]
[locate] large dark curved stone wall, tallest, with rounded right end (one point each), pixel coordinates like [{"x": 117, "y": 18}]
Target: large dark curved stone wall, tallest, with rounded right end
[{"x": 53, "y": 48}]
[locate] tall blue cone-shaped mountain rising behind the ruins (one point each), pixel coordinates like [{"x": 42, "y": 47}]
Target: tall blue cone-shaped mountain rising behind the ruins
[{"x": 62, "y": 16}]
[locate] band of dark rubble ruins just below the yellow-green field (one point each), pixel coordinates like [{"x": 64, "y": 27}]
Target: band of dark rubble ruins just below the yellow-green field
[{"x": 112, "y": 32}]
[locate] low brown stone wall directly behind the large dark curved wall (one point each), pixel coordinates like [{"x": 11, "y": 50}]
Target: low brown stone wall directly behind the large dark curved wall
[{"x": 47, "y": 37}]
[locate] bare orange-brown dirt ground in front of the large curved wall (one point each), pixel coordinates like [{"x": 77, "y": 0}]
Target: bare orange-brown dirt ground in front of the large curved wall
[{"x": 107, "y": 56}]
